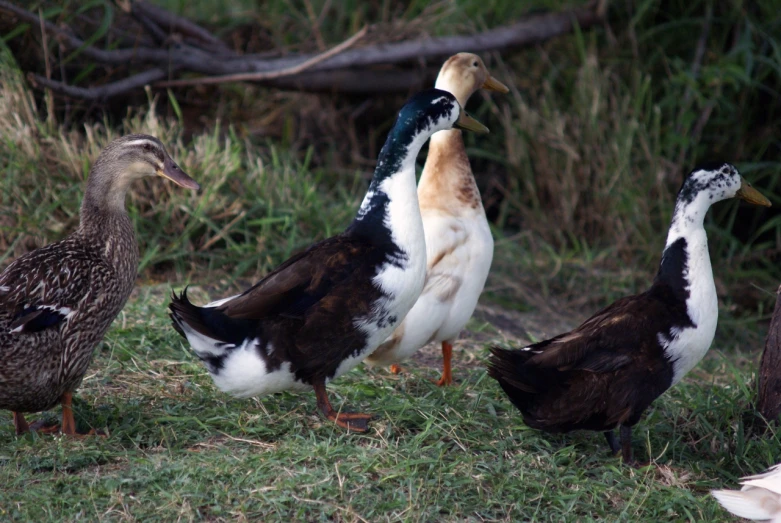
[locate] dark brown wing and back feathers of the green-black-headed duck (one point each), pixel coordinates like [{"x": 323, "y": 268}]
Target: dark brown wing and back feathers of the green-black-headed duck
[{"x": 305, "y": 312}]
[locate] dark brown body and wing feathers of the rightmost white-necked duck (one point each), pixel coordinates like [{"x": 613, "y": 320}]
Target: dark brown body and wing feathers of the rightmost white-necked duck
[{"x": 603, "y": 373}]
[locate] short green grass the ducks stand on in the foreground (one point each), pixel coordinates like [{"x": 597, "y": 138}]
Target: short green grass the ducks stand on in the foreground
[{"x": 179, "y": 449}]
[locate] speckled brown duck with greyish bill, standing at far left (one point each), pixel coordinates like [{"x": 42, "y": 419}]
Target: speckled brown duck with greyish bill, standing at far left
[{"x": 58, "y": 301}]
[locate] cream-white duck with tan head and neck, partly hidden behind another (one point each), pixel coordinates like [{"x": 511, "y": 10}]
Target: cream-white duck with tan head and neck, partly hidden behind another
[{"x": 459, "y": 245}]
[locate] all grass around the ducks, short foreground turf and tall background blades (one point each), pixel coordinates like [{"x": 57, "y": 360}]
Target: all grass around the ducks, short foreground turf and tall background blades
[{"x": 580, "y": 170}]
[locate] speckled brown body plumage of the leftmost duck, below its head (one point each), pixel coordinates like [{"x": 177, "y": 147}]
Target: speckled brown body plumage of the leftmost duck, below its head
[{"x": 86, "y": 272}]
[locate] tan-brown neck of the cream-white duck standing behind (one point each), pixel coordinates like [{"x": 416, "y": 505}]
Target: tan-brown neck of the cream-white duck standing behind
[{"x": 447, "y": 181}]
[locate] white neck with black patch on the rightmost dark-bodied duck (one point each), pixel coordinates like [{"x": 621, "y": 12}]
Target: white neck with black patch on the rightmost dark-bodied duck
[{"x": 685, "y": 265}]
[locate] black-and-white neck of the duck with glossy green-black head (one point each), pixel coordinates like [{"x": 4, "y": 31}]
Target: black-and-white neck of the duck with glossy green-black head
[{"x": 390, "y": 213}]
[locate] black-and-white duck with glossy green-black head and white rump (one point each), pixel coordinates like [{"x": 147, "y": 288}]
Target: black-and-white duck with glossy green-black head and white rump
[{"x": 321, "y": 312}]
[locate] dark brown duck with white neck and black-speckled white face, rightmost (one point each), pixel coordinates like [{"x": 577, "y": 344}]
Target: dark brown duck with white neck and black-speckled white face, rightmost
[{"x": 606, "y": 372}]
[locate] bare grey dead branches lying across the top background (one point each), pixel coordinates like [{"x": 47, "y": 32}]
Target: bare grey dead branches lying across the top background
[{"x": 314, "y": 72}]
